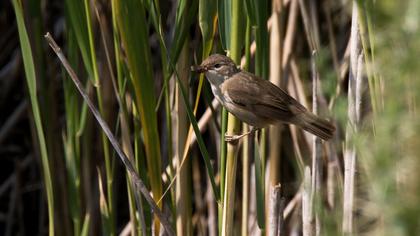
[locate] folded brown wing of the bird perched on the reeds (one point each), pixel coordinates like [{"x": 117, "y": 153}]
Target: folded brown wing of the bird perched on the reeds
[{"x": 261, "y": 97}]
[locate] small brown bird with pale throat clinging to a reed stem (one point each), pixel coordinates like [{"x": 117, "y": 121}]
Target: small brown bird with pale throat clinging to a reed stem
[{"x": 256, "y": 101}]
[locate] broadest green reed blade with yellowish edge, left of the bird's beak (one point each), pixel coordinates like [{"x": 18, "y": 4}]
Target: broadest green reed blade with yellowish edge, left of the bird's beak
[{"x": 130, "y": 17}]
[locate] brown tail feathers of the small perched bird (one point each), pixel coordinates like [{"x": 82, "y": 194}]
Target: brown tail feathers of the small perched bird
[{"x": 315, "y": 125}]
